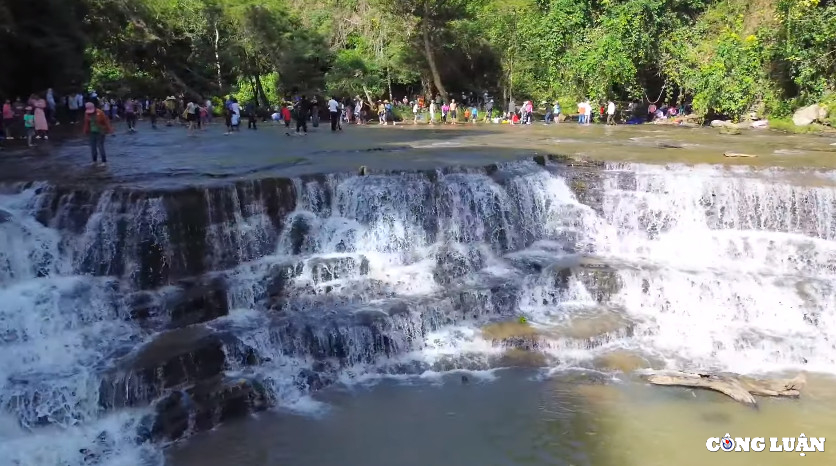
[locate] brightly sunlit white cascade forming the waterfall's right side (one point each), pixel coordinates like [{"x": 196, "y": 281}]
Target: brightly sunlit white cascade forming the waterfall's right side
[{"x": 737, "y": 270}]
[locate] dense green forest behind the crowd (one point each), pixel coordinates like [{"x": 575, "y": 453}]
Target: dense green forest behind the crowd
[{"x": 726, "y": 57}]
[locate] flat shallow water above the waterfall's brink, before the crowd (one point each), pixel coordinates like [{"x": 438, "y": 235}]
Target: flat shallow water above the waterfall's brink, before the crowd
[{"x": 169, "y": 157}]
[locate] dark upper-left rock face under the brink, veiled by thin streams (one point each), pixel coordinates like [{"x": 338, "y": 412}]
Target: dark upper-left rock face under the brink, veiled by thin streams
[{"x": 155, "y": 238}]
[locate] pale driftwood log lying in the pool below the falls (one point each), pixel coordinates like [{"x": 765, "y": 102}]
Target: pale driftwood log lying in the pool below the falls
[{"x": 739, "y": 388}]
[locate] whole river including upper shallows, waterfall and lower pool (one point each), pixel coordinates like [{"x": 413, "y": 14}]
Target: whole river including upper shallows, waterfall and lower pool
[{"x": 268, "y": 316}]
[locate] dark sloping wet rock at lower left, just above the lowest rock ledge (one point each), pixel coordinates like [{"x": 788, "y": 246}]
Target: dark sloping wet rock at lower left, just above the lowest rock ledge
[{"x": 174, "y": 359}]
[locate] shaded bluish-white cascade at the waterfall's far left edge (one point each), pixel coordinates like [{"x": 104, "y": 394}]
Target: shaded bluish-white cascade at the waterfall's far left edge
[{"x": 57, "y": 327}]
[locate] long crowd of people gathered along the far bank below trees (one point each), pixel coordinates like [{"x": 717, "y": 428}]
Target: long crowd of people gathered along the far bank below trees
[{"x": 32, "y": 119}]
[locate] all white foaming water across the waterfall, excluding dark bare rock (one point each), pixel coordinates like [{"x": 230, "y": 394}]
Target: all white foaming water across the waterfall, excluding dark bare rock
[{"x": 720, "y": 268}]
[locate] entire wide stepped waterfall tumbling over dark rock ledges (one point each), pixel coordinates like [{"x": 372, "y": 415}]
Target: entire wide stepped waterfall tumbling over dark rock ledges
[{"x": 134, "y": 318}]
